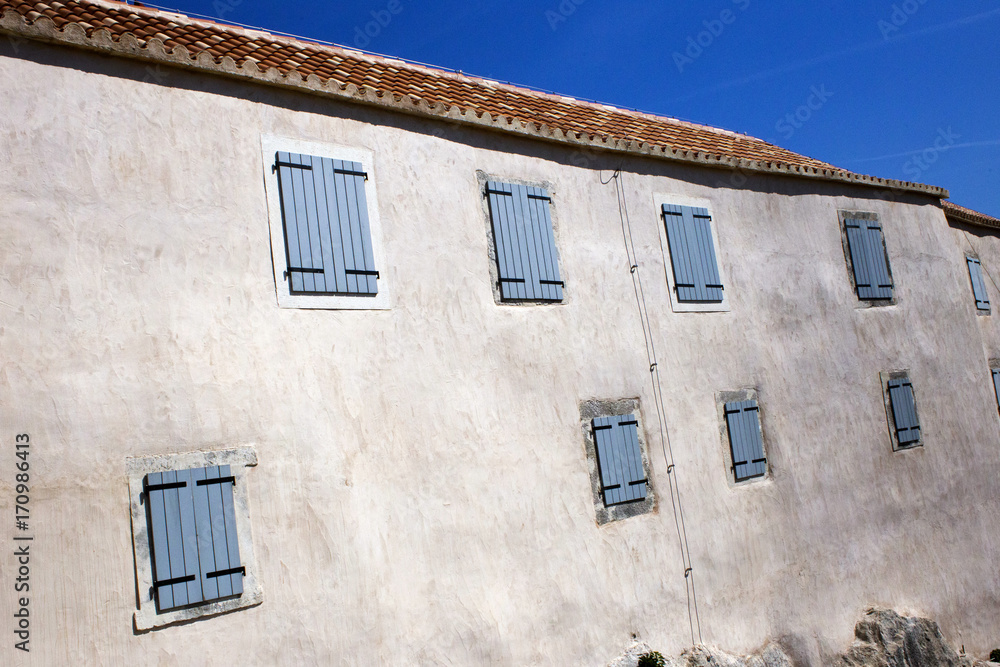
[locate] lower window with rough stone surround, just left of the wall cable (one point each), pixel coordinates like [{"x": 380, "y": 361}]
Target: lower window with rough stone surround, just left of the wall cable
[{"x": 618, "y": 463}]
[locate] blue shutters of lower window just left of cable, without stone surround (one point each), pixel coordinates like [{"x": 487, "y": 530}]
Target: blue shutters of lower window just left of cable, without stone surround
[{"x": 619, "y": 459}]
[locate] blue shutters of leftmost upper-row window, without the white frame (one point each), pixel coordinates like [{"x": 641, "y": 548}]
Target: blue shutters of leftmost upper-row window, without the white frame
[{"x": 328, "y": 243}]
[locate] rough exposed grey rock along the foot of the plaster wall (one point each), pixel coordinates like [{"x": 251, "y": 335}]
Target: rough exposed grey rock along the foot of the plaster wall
[{"x": 883, "y": 639}]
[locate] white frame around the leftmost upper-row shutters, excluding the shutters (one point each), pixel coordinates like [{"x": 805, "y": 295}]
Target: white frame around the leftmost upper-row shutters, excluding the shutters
[{"x": 270, "y": 145}]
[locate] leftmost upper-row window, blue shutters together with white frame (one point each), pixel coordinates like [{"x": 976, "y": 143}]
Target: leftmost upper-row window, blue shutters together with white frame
[{"x": 325, "y": 234}]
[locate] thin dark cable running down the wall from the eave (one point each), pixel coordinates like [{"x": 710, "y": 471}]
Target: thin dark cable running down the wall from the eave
[{"x": 668, "y": 455}]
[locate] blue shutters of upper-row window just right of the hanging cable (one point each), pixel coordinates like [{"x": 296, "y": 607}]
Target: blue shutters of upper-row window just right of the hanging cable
[{"x": 692, "y": 254}]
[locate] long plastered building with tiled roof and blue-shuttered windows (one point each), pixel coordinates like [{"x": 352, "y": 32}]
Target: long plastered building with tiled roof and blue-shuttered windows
[{"x": 414, "y": 448}]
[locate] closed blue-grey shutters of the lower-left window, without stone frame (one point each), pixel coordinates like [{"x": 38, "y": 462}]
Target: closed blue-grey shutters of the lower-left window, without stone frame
[{"x": 192, "y": 526}]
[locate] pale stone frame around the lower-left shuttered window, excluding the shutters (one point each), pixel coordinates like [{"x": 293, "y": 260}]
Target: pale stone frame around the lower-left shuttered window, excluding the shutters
[{"x": 239, "y": 459}]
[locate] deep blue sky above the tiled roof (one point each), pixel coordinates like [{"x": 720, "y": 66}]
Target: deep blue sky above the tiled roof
[{"x": 903, "y": 89}]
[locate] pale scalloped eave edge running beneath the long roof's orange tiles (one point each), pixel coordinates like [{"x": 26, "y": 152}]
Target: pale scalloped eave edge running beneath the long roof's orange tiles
[{"x": 43, "y": 29}]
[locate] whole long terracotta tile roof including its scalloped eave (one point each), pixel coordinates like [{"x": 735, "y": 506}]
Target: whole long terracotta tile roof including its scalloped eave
[{"x": 103, "y": 25}]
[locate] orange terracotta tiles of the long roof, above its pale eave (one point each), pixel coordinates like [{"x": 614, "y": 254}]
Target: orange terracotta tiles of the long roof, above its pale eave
[{"x": 512, "y": 105}]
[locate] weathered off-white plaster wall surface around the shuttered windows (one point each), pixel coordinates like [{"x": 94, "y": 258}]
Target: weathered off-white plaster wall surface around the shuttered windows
[{"x": 422, "y": 494}]
